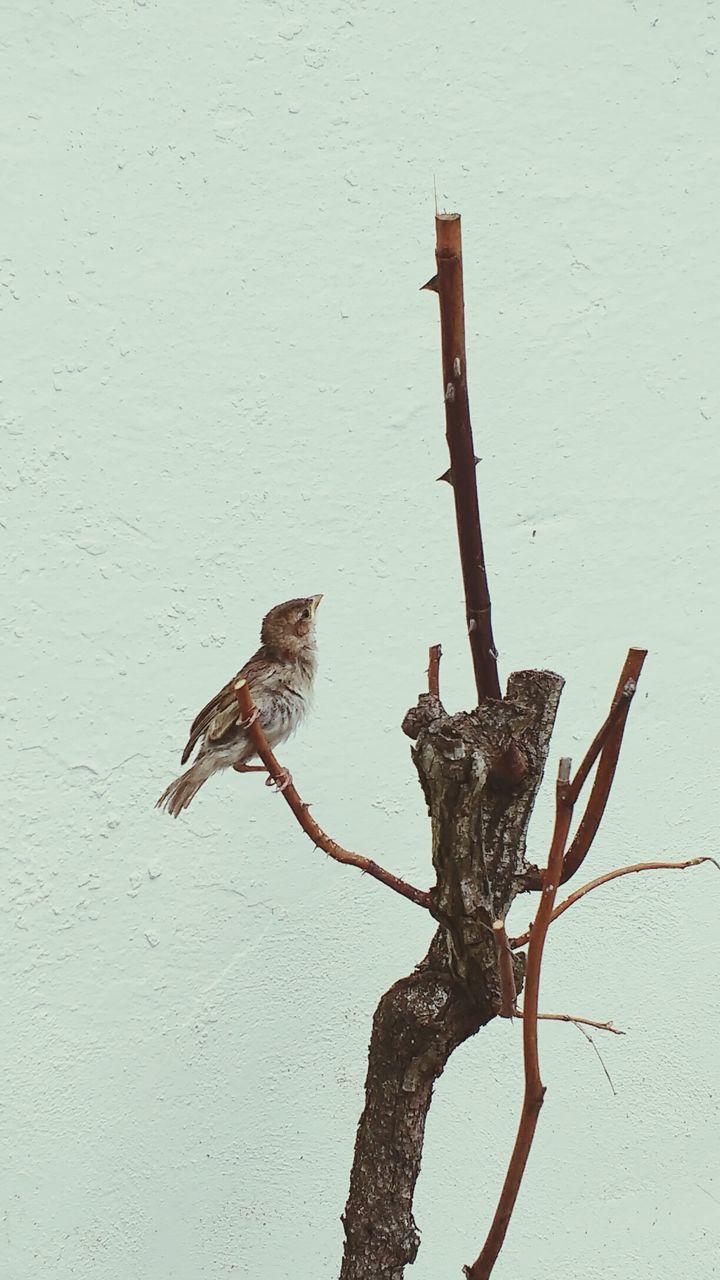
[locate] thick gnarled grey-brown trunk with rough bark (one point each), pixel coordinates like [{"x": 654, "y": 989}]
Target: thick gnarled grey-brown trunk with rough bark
[{"x": 480, "y": 833}]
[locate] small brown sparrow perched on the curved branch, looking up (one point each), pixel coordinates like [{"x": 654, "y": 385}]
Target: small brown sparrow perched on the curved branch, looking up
[{"x": 281, "y": 682}]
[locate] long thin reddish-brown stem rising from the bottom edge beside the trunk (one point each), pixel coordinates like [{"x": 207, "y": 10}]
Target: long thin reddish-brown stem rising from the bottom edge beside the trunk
[{"x": 535, "y": 1090}]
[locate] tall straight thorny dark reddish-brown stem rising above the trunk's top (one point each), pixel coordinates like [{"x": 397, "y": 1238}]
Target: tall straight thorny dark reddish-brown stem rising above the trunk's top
[{"x": 449, "y": 287}]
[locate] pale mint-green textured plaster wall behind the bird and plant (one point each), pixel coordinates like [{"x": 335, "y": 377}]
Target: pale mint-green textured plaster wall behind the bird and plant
[{"x": 222, "y": 388}]
